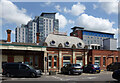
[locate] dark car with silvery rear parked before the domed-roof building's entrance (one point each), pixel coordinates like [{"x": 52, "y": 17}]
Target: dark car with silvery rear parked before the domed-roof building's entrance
[{"x": 71, "y": 69}]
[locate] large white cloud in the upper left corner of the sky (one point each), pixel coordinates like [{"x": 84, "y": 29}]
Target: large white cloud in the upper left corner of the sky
[{"x": 12, "y": 14}]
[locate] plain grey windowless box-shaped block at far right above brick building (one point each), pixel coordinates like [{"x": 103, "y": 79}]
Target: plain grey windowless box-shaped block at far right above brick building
[{"x": 110, "y": 44}]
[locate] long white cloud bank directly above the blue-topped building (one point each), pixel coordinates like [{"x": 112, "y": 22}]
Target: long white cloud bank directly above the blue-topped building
[{"x": 93, "y": 23}]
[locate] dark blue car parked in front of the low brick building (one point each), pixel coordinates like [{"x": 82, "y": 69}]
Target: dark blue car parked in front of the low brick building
[{"x": 91, "y": 68}]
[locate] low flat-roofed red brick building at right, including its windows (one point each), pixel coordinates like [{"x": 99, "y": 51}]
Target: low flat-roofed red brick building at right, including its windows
[{"x": 102, "y": 57}]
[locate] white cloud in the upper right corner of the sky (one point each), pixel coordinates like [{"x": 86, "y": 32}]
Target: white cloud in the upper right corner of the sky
[{"x": 110, "y": 7}]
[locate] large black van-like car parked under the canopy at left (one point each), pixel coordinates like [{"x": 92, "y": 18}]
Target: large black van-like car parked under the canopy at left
[{"x": 19, "y": 69}]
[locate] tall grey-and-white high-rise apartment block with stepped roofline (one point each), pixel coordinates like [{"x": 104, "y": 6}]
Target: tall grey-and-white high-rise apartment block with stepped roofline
[{"x": 44, "y": 24}]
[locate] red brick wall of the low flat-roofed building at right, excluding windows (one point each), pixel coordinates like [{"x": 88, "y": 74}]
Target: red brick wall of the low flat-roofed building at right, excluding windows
[{"x": 110, "y": 56}]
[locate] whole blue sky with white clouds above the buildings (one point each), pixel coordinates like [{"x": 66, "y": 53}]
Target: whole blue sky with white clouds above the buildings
[{"x": 98, "y": 16}]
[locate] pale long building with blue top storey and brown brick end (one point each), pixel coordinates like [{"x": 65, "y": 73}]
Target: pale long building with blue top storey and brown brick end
[{"x": 91, "y": 37}]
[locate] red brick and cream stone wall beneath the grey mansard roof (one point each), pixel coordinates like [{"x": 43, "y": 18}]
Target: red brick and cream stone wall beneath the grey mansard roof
[{"x": 62, "y": 52}]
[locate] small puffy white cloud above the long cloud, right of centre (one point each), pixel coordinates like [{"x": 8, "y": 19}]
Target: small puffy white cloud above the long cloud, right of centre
[{"x": 76, "y": 9}]
